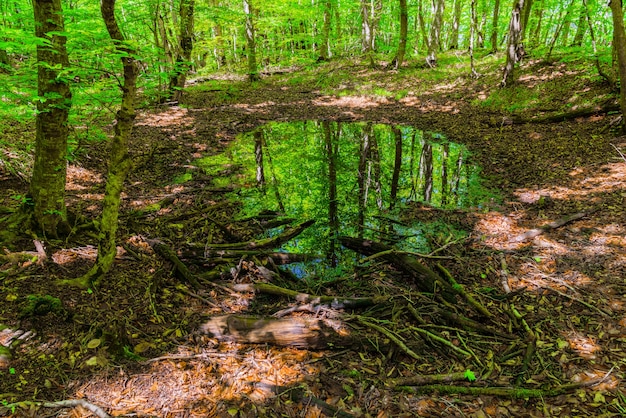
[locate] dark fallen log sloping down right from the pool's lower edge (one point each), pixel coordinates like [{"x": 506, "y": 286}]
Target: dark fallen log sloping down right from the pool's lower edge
[{"x": 425, "y": 279}]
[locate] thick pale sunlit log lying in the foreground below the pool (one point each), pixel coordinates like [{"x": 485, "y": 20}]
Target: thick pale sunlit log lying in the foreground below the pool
[{"x": 298, "y": 332}]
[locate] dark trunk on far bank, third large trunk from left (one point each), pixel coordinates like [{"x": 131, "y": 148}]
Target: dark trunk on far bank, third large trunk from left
[{"x": 185, "y": 46}]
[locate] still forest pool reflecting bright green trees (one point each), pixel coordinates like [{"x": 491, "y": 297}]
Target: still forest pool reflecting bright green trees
[{"x": 352, "y": 178}]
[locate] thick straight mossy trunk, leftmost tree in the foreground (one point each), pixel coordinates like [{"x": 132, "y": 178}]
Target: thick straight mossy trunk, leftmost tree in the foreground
[{"x": 47, "y": 186}]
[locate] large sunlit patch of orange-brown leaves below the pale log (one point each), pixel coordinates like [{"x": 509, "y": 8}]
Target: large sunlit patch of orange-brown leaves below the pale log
[{"x": 203, "y": 383}]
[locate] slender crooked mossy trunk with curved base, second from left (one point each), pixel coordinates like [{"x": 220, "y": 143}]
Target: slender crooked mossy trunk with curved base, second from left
[{"x": 119, "y": 160}]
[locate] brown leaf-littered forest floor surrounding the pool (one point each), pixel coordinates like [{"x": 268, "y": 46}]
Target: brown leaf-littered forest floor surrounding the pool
[{"x": 132, "y": 345}]
